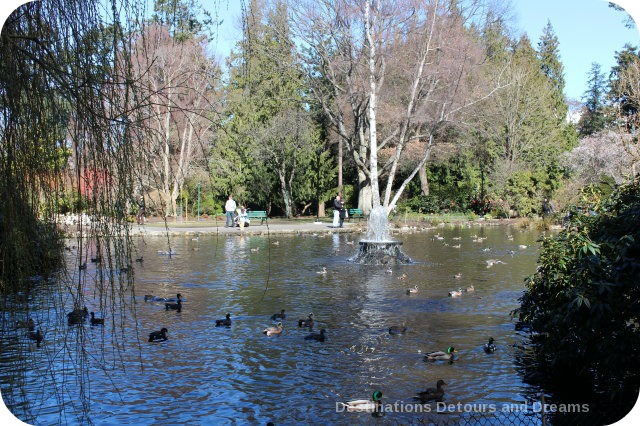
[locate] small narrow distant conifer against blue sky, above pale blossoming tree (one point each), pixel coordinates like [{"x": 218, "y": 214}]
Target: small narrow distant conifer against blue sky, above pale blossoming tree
[{"x": 593, "y": 118}]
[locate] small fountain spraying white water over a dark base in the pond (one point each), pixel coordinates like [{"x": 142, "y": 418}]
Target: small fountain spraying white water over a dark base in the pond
[{"x": 378, "y": 248}]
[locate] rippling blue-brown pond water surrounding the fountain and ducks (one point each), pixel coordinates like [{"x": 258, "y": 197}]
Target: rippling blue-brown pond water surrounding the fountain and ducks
[{"x": 205, "y": 374}]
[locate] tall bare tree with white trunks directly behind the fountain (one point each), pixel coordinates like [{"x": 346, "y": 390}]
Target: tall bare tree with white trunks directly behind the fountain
[{"x": 394, "y": 73}]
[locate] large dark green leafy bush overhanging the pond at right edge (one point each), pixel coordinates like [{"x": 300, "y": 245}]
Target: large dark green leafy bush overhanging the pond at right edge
[{"x": 583, "y": 303}]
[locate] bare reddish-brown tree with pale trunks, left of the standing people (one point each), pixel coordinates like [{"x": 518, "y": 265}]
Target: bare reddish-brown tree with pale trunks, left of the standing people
[{"x": 178, "y": 82}]
